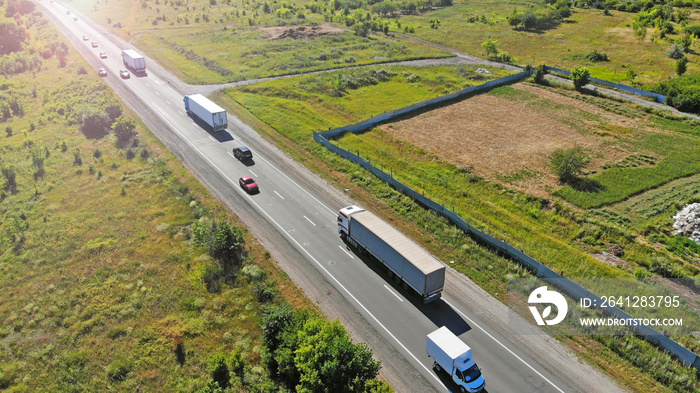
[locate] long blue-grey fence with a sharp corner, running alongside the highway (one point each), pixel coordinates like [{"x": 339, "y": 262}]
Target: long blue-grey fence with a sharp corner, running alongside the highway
[{"x": 566, "y": 285}]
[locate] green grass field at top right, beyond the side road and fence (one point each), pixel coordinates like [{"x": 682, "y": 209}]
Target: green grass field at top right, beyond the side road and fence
[{"x": 564, "y": 46}]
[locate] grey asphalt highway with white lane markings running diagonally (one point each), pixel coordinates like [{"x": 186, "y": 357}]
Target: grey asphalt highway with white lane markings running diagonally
[{"x": 294, "y": 216}]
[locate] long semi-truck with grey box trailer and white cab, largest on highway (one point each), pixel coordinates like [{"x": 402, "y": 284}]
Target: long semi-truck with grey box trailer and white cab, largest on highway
[{"x": 405, "y": 261}]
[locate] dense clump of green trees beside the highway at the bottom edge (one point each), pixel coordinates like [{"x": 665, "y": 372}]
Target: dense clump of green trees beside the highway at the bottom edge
[{"x": 309, "y": 354}]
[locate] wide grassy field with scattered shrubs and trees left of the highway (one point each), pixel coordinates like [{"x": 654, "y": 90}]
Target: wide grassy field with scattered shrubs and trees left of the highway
[{"x": 119, "y": 270}]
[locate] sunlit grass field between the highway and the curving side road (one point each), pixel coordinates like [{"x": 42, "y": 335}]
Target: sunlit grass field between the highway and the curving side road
[{"x": 204, "y": 43}]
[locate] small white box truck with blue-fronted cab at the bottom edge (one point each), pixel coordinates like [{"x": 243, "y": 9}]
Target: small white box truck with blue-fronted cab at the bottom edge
[{"x": 455, "y": 357}]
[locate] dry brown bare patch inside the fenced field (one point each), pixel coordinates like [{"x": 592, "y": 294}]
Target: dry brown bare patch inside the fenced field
[{"x": 496, "y": 136}]
